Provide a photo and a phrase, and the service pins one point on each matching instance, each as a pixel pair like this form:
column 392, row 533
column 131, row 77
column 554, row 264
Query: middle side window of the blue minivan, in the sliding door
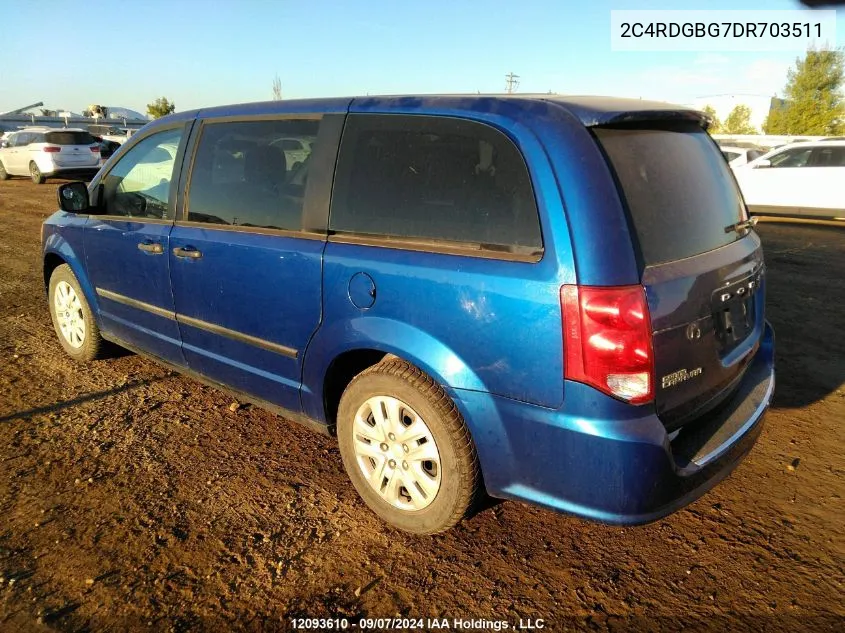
column 243, row 177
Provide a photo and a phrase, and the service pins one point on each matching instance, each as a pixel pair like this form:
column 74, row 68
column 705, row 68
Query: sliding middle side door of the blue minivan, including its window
column 246, row 262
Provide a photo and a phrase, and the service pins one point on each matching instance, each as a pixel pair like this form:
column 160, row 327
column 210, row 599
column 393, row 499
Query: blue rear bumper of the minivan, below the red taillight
column 608, row 461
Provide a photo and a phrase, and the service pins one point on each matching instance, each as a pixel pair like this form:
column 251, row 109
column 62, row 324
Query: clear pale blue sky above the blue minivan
column 207, row 53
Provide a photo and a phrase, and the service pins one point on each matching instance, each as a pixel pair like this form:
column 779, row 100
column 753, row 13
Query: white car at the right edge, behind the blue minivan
column 802, row 179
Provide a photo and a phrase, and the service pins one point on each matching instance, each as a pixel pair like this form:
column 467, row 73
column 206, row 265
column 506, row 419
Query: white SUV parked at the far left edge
column 41, row 153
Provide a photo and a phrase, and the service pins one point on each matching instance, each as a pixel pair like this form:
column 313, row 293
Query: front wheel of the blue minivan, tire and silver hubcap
column 69, row 309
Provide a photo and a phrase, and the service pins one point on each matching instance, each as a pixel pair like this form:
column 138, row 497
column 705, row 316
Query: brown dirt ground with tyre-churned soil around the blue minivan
column 133, row 498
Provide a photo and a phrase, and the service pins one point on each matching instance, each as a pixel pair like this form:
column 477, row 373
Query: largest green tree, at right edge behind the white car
column 815, row 104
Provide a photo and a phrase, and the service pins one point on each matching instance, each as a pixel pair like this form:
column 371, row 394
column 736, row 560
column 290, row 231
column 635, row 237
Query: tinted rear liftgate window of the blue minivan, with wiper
column 677, row 187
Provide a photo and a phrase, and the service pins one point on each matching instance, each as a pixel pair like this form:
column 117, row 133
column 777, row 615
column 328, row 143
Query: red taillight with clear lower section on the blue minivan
column 607, row 340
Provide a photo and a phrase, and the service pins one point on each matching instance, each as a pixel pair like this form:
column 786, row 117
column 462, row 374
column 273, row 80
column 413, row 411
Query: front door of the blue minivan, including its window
column 127, row 245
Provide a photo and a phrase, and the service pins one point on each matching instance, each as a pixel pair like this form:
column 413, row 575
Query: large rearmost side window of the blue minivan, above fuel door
column 433, row 178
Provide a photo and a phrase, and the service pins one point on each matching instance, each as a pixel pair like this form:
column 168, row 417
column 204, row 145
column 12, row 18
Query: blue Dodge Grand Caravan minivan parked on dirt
column 557, row 300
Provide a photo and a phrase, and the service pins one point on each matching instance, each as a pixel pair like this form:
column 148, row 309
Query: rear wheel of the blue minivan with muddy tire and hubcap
column 456, row 470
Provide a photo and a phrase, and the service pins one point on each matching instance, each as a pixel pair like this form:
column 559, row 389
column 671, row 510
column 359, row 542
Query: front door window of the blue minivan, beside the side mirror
column 139, row 184
